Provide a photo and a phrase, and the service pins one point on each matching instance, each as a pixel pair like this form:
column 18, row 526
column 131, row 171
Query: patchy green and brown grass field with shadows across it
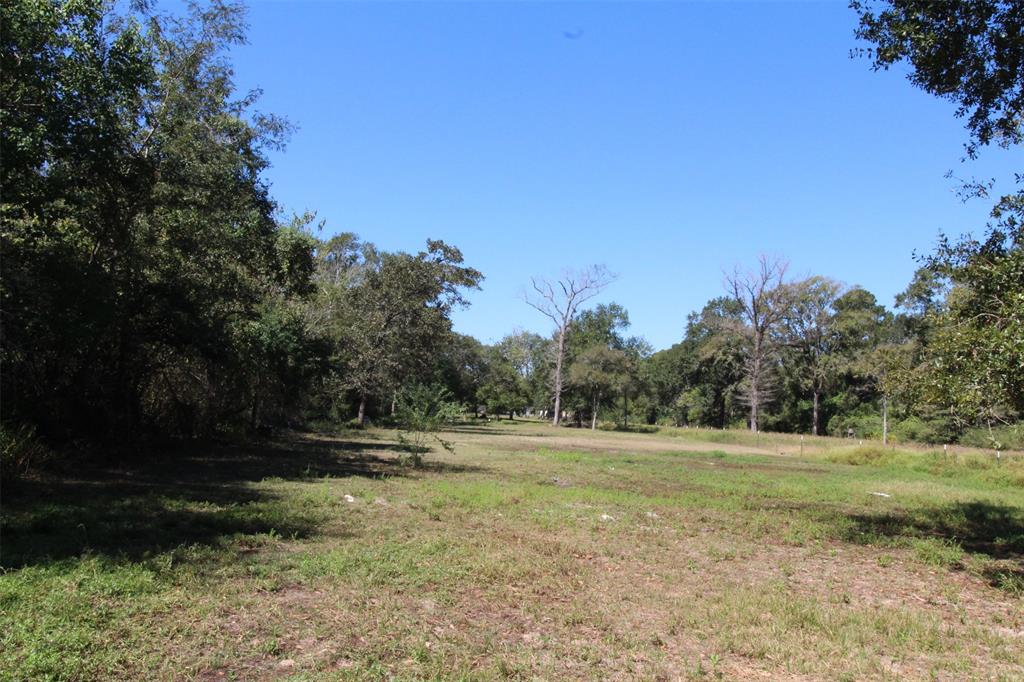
column 530, row 553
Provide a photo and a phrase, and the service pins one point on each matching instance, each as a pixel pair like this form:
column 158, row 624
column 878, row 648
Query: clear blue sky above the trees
column 668, row 142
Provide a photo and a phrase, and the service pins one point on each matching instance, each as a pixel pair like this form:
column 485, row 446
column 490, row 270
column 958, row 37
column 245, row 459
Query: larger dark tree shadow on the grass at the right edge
column 980, row 528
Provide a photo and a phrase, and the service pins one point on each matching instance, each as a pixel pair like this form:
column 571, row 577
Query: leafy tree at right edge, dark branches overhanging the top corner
column 973, row 55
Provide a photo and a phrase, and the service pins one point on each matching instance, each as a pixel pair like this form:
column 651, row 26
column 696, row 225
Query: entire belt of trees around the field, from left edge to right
column 153, row 290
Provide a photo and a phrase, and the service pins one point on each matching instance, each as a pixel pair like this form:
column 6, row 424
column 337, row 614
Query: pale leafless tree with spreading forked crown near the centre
column 561, row 302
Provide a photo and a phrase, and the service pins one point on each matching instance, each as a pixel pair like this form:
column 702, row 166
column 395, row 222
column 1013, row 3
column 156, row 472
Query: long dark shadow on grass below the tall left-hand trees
column 203, row 497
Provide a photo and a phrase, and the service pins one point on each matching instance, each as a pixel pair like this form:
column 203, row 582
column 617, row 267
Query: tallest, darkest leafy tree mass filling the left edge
column 140, row 240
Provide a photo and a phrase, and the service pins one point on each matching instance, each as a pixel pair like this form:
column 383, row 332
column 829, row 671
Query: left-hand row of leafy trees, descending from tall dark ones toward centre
column 152, row 289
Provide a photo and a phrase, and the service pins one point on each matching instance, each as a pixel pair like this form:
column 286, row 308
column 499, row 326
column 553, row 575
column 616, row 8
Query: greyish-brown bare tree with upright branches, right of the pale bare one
column 764, row 300
